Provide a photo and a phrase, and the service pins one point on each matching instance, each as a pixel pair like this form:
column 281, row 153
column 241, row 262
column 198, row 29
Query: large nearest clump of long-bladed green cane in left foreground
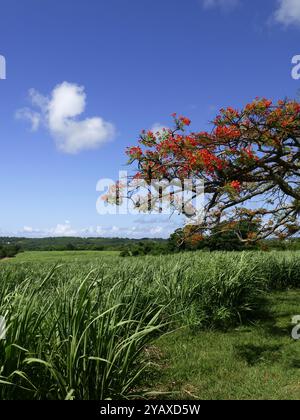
column 77, row 339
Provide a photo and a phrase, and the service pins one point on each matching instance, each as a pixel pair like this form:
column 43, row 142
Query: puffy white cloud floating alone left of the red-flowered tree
column 59, row 113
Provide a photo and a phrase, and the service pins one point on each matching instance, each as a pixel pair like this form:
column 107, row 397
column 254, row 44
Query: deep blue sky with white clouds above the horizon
column 108, row 69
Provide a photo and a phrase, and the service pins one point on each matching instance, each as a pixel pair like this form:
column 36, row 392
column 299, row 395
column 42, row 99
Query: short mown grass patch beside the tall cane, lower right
column 257, row 361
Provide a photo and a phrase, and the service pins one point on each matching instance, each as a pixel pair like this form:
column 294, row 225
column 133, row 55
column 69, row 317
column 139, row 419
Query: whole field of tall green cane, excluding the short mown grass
column 80, row 330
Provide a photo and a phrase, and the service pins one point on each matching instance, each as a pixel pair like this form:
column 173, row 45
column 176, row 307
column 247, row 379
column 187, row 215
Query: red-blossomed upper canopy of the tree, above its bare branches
column 235, row 141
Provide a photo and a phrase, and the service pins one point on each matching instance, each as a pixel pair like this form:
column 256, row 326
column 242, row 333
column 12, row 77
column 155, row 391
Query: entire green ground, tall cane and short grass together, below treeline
column 87, row 328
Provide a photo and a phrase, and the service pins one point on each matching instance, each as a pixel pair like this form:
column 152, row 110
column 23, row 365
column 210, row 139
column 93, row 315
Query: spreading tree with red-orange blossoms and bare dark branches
column 250, row 162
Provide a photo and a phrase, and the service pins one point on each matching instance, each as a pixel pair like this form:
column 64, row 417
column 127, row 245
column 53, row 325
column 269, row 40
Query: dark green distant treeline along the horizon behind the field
column 221, row 241
